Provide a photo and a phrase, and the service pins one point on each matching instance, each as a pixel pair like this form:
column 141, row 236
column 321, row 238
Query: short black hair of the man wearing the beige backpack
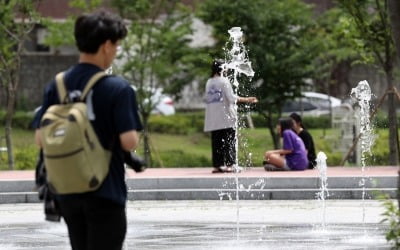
column 92, row 30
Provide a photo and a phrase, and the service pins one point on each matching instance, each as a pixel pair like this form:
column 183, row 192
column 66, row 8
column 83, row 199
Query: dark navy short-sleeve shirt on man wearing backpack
column 115, row 112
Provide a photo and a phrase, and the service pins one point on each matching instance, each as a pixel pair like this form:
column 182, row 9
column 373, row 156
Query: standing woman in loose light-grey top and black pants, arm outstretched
column 221, row 118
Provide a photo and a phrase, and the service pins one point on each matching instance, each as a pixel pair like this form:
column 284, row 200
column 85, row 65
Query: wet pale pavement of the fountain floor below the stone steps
column 350, row 224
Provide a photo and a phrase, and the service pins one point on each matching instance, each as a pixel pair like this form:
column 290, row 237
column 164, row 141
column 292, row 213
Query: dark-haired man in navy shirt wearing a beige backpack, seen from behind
column 94, row 210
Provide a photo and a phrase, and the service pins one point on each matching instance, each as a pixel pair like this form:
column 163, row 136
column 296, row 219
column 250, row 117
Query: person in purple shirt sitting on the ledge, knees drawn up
column 293, row 155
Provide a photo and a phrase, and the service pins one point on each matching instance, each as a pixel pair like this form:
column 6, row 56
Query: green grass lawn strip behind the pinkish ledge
column 194, row 150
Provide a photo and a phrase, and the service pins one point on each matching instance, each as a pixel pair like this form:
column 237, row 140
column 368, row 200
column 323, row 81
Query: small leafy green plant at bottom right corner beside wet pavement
column 392, row 216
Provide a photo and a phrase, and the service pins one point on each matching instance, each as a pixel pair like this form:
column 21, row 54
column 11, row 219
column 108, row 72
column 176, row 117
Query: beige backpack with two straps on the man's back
column 75, row 160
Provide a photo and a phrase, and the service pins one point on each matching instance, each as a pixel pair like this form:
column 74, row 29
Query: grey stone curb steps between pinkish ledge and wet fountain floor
column 250, row 188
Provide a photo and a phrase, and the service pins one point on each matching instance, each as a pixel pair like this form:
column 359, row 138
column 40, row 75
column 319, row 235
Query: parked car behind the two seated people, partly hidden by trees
column 312, row 104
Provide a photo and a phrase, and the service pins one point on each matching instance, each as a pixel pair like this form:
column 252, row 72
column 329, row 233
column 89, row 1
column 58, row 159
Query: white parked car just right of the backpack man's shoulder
column 164, row 104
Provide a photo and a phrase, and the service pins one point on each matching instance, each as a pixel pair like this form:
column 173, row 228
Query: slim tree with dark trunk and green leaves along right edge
column 373, row 25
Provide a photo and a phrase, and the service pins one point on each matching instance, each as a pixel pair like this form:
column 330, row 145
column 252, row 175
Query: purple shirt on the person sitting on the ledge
column 297, row 160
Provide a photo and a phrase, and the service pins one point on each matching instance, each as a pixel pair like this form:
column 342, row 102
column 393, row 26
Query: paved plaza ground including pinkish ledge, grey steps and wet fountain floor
column 194, row 209
